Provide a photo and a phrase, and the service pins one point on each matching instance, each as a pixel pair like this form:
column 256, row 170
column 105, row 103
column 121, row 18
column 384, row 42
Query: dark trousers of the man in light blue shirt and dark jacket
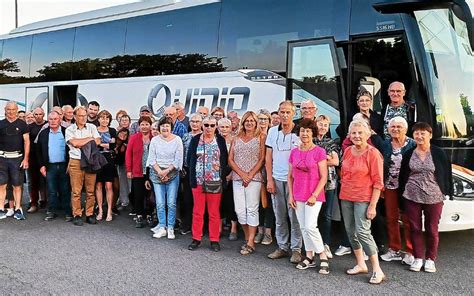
column 58, row 187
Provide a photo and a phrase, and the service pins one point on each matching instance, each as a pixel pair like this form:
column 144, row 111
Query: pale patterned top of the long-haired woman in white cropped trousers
column 246, row 156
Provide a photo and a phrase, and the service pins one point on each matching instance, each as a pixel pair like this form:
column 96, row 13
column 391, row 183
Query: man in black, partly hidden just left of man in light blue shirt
column 36, row 182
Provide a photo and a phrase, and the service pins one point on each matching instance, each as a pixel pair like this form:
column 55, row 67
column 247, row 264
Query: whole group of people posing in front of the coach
column 265, row 171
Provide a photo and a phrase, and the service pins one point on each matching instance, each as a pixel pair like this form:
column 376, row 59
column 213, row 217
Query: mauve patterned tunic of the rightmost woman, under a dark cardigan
column 421, row 186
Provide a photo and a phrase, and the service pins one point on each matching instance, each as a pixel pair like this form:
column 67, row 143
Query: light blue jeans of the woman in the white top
column 166, row 195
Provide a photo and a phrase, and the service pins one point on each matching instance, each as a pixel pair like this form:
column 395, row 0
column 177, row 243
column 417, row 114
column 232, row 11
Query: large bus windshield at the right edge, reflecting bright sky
column 451, row 64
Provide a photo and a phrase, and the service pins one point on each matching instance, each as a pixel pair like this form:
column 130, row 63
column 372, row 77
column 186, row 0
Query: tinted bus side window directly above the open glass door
column 255, row 33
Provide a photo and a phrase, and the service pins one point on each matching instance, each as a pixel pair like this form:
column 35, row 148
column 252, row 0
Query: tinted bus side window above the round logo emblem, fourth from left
column 174, row 42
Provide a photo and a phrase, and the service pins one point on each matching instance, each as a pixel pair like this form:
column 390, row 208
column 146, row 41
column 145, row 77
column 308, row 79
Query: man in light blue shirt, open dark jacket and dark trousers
column 52, row 160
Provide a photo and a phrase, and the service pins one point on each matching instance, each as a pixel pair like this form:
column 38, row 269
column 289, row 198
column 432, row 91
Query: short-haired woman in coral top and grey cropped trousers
column 361, row 184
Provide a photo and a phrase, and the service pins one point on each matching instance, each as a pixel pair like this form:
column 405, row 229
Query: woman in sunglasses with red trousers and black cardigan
column 207, row 160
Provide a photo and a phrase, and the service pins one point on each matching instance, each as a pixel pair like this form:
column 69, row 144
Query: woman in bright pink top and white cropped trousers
column 307, row 177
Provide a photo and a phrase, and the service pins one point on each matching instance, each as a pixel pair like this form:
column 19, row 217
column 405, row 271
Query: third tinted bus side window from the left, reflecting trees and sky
column 96, row 47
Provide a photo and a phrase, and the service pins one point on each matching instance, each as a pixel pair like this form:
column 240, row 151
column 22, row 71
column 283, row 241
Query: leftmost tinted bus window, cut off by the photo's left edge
column 16, row 60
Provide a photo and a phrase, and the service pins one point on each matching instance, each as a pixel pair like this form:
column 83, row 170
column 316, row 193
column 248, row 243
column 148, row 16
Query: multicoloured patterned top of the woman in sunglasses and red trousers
column 207, row 164
